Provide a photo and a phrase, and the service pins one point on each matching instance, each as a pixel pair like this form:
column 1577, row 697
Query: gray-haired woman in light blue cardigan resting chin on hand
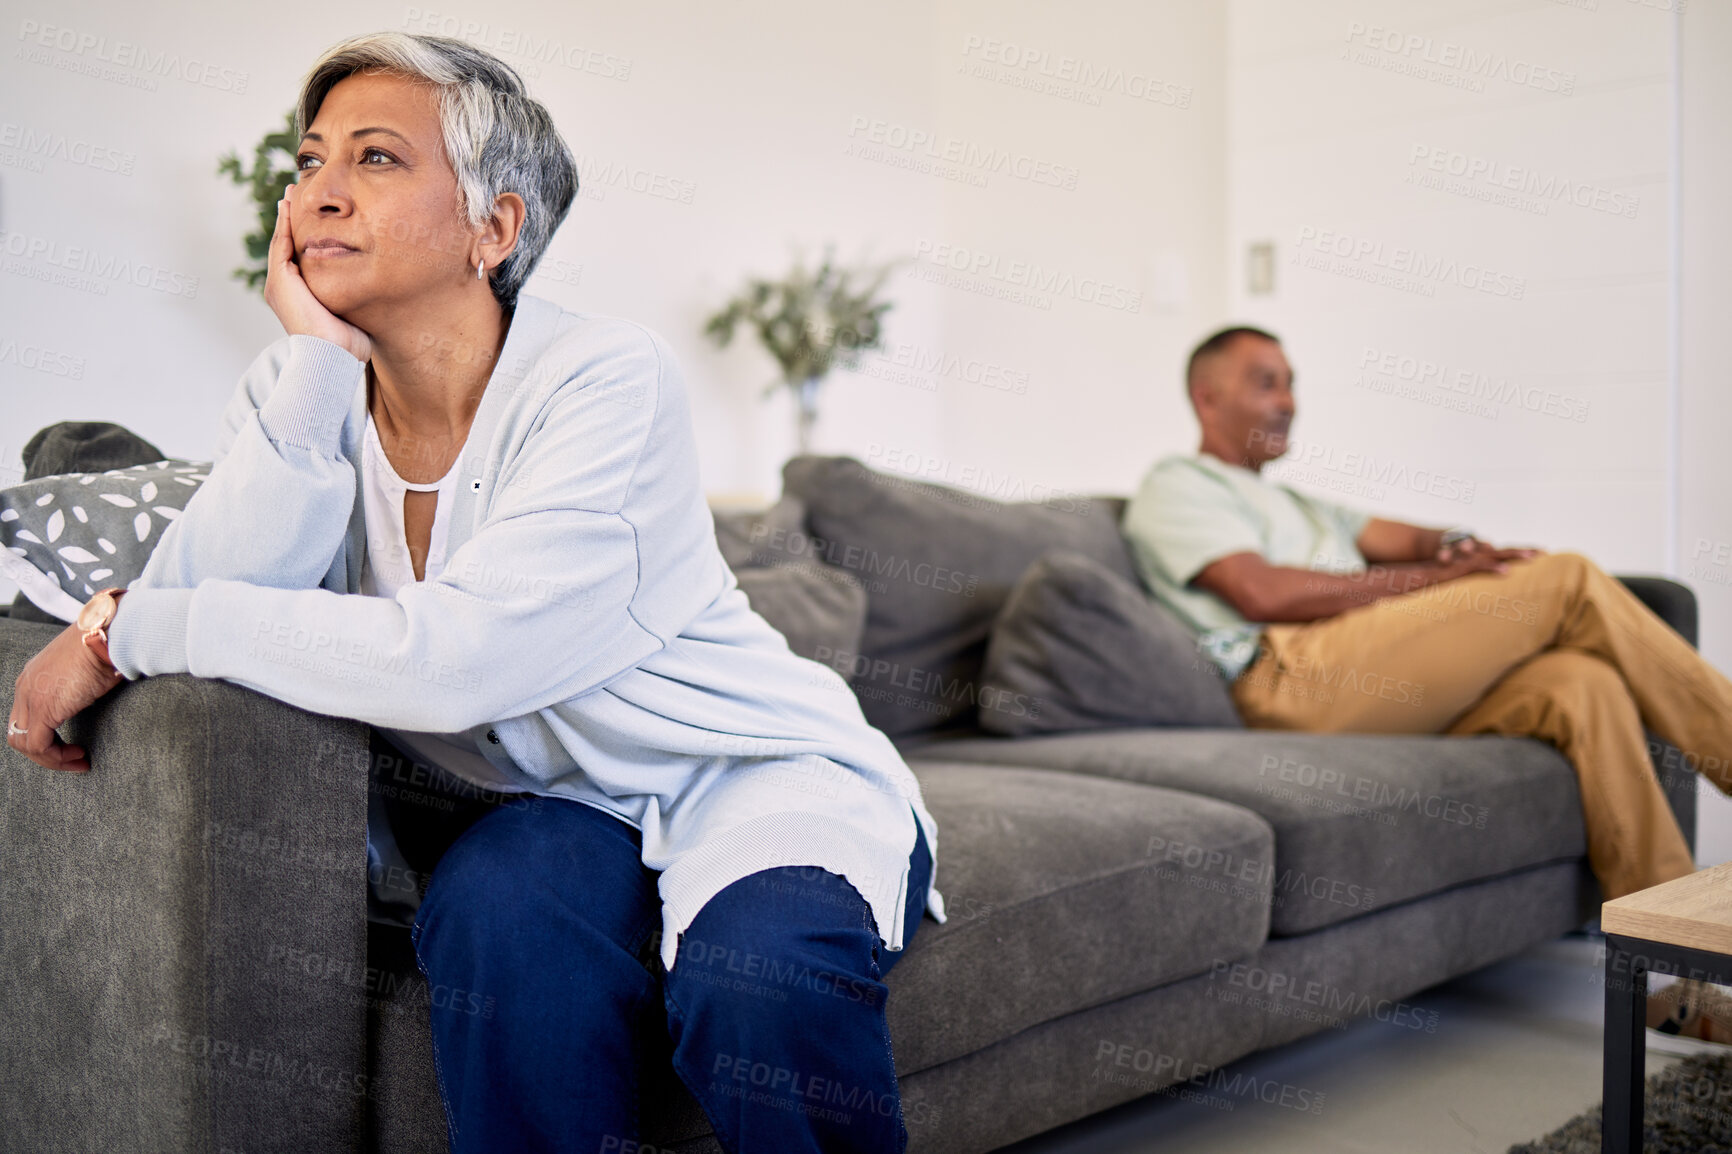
column 474, row 521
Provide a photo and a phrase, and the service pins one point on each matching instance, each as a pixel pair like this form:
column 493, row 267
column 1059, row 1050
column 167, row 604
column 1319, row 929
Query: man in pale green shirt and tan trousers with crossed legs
column 1328, row 619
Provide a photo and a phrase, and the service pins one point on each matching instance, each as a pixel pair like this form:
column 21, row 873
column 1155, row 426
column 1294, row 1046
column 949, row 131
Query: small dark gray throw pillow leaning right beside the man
column 1080, row 647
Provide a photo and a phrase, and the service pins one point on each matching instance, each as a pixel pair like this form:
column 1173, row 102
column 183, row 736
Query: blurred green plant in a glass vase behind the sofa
column 810, row 323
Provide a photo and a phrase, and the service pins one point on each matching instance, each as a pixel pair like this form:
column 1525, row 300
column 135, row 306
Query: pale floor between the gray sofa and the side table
column 1516, row 1053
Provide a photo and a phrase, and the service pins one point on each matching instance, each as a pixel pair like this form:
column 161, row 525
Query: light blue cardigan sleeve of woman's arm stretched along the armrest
column 519, row 621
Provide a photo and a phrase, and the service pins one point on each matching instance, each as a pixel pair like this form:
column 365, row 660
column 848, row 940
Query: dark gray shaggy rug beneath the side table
column 1688, row 1112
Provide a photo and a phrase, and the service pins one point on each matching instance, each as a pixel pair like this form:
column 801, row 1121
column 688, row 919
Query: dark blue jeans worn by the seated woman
column 540, row 937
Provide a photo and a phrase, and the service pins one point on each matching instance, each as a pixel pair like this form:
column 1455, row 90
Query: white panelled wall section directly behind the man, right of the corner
column 1328, row 152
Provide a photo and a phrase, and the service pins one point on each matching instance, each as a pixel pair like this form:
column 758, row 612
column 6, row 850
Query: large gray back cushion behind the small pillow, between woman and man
column 938, row 564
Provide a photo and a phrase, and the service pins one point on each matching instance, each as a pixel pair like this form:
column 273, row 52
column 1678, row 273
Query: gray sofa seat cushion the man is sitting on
column 1362, row 822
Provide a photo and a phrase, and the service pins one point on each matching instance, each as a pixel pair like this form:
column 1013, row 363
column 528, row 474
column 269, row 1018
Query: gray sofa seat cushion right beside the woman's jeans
column 1063, row 893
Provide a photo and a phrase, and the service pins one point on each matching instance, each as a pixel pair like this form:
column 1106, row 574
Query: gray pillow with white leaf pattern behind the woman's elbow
column 70, row 535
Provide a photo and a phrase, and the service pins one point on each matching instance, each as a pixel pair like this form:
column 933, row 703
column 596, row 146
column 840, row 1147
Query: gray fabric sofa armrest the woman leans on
column 183, row 930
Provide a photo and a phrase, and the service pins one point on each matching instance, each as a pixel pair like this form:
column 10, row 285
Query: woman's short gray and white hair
column 498, row 138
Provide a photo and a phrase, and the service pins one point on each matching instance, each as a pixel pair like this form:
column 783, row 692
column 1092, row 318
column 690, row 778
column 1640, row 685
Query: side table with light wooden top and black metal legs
column 1681, row 928
